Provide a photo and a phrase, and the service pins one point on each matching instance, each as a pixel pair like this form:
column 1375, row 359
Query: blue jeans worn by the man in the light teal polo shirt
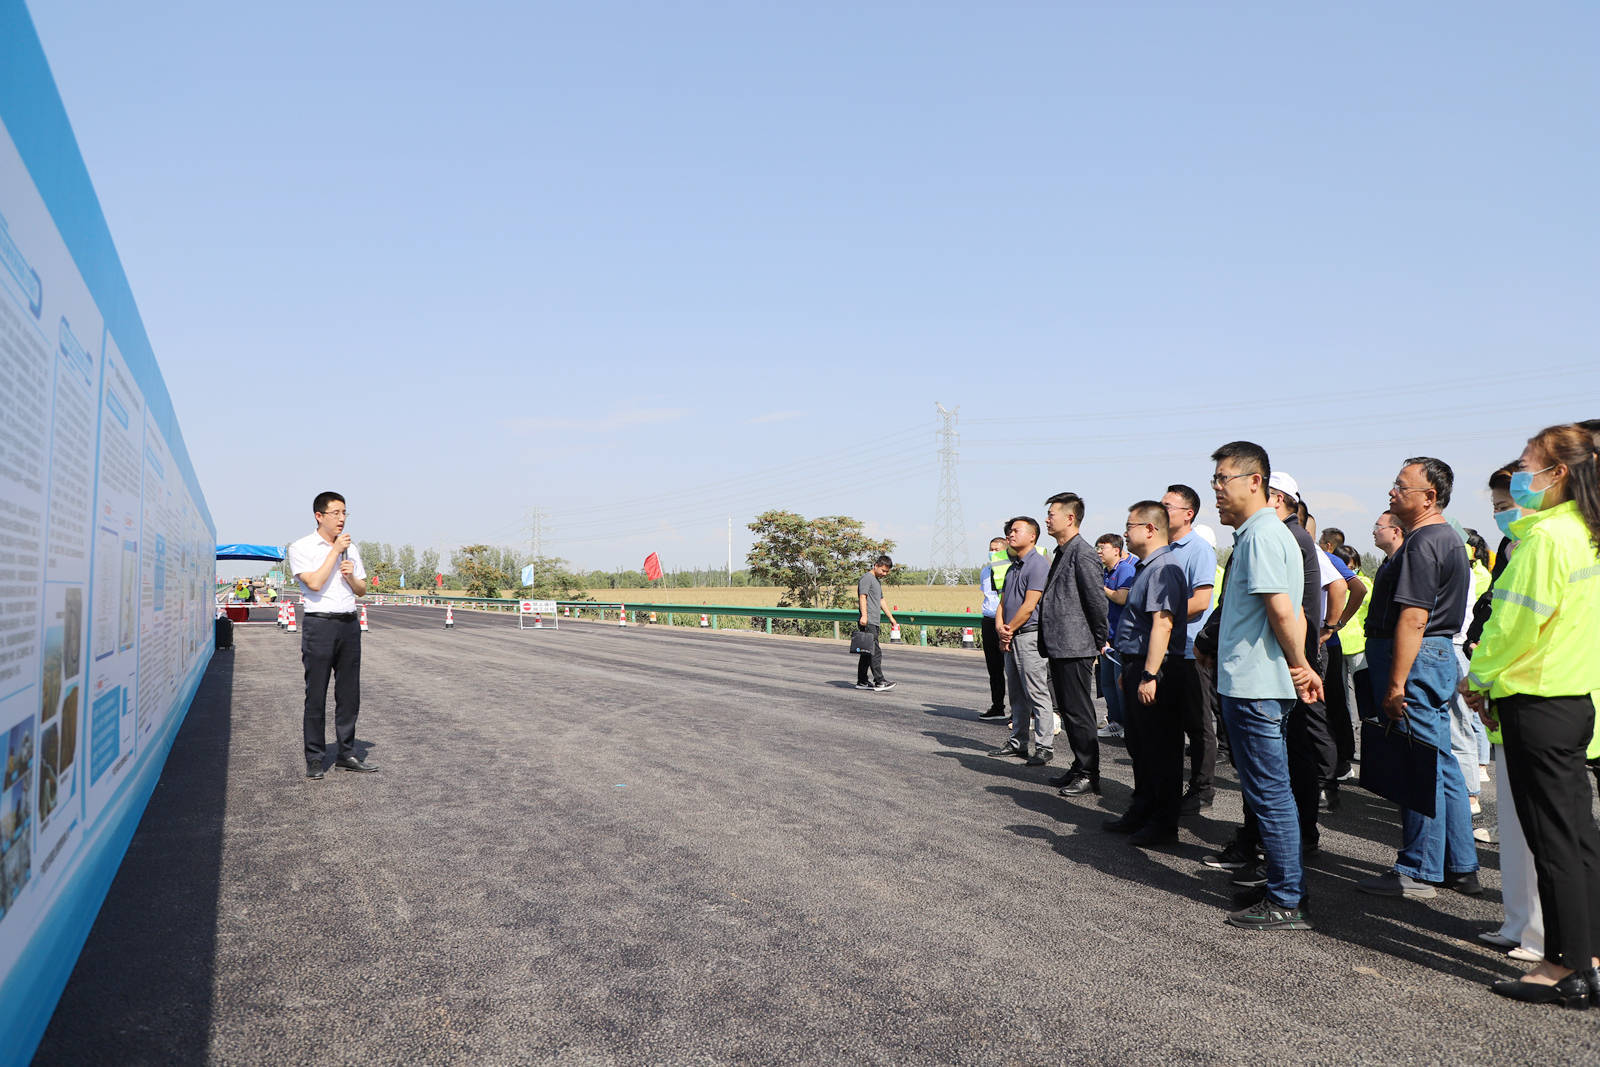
column 1262, row 757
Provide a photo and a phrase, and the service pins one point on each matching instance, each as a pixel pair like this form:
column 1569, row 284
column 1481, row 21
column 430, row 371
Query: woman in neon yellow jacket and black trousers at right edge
column 1538, row 666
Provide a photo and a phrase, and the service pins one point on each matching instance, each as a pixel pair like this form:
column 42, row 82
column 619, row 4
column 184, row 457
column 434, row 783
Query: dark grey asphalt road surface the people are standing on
column 668, row 845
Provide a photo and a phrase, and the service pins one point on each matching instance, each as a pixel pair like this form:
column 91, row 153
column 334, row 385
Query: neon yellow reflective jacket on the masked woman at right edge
column 1540, row 639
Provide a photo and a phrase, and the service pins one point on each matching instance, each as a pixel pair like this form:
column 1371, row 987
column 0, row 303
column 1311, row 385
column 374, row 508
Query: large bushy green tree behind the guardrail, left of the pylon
column 817, row 561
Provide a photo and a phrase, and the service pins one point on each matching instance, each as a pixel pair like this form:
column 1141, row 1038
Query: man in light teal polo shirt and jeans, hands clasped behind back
column 1262, row 668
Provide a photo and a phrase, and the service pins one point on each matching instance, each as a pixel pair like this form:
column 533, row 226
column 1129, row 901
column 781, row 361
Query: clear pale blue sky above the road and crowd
column 652, row 266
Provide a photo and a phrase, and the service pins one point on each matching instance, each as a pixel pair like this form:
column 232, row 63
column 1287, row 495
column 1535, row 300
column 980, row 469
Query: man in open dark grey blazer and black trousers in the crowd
column 1073, row 629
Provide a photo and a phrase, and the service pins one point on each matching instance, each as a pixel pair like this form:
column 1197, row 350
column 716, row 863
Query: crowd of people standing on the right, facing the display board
column 1449, row 661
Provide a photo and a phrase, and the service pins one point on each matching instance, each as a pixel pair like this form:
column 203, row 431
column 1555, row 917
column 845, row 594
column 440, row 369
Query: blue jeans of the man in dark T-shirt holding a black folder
column 1439, row 844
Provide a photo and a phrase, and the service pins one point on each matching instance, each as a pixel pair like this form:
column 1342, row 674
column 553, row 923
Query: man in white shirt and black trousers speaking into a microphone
column 330, row 575
